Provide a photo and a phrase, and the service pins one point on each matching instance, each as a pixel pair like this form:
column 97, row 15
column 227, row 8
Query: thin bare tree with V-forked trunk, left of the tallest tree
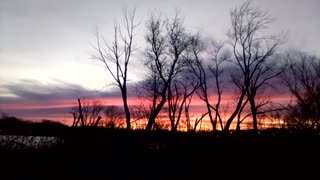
column 203, row 71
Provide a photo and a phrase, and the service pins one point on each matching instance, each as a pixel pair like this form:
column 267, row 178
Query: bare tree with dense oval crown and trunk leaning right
column 166, row 42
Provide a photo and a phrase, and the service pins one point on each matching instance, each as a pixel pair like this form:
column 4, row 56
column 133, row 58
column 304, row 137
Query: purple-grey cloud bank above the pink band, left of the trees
column 27, row 90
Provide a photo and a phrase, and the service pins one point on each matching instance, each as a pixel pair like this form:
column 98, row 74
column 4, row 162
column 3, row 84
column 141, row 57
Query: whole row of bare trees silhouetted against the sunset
column 182, row 66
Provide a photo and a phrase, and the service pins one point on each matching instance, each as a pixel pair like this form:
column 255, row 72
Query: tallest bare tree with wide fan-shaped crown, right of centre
column 253, row 52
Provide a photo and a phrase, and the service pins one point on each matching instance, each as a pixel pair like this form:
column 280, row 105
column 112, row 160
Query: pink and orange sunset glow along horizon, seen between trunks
column 30, row 111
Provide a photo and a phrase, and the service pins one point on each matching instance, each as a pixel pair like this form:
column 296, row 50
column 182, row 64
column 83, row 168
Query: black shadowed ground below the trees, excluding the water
column 120, row 154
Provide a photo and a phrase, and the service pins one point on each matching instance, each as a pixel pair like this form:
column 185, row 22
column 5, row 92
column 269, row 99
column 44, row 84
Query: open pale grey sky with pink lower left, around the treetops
column 45, row 45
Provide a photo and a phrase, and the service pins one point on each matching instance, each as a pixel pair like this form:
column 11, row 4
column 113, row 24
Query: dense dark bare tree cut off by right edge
column 302, row 77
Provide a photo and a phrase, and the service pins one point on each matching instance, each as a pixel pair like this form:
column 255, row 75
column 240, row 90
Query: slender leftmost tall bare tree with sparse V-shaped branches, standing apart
column 116, row 55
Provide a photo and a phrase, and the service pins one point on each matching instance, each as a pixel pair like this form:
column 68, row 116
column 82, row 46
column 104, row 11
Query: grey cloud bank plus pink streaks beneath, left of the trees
column 34, row 100
